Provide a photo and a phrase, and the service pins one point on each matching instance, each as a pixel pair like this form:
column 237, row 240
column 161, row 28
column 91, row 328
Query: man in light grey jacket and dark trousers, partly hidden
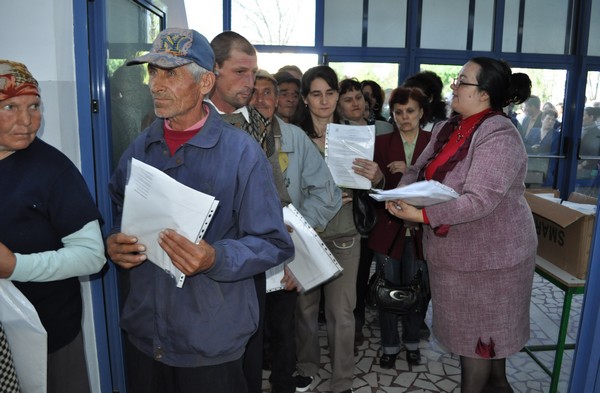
column 313, row 192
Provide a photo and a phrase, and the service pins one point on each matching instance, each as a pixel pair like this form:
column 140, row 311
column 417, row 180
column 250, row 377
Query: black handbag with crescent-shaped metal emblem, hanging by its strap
column 398, row 299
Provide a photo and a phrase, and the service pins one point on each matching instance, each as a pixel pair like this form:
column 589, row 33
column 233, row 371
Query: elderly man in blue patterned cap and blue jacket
column 193, row 338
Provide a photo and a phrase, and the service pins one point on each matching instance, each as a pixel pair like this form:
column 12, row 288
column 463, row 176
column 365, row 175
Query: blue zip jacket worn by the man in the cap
column 211, row 318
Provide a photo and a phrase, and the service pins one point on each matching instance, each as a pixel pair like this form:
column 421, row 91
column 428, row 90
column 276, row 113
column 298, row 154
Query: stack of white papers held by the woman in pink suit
column 422, row 193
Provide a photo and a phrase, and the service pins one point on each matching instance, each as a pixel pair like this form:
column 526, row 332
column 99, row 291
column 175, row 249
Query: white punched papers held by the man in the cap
column 154, row 201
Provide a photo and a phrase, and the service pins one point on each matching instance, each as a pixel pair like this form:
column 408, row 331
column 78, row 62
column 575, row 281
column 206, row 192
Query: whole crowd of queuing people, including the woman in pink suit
column 256, row 141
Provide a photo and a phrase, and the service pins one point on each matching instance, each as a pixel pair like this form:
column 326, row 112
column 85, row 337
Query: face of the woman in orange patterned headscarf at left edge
column 20, row 120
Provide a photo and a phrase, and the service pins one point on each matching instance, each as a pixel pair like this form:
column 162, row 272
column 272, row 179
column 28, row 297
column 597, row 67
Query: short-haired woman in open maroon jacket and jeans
column 390, row 239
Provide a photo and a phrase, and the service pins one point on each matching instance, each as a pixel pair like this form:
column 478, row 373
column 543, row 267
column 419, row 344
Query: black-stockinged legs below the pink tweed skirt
column 483, row 376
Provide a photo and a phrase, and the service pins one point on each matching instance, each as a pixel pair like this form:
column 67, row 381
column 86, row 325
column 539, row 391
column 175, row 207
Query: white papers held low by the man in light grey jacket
column 312, row 264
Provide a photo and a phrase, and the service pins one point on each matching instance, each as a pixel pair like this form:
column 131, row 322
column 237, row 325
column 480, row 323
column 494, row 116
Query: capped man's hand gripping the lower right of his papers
column 189, row 257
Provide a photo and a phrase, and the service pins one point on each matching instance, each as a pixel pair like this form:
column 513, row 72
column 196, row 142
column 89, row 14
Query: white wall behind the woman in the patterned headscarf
column 39, row 33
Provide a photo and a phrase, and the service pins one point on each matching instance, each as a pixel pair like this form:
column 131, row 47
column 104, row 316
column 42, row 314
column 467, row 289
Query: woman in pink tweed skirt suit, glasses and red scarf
column 480, row 247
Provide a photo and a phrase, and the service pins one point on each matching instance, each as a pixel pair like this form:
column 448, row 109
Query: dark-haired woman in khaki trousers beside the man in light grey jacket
column 320, row 95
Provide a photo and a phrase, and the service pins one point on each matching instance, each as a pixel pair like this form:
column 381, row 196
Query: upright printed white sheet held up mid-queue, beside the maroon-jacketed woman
column 343, row 144
